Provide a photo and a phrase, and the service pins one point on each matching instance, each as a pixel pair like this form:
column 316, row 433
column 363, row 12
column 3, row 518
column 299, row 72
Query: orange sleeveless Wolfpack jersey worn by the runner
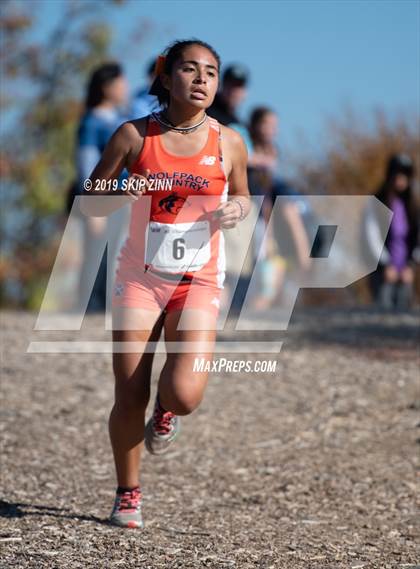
column 172, row 227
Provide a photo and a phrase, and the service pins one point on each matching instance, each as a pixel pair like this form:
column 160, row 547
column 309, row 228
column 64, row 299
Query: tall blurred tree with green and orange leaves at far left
column 42, row 83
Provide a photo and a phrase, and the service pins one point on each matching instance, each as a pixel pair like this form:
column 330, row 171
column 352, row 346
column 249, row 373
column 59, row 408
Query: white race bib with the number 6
column 177, row 247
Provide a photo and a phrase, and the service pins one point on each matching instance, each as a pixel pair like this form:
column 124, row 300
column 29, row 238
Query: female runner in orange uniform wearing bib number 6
column 171, row 267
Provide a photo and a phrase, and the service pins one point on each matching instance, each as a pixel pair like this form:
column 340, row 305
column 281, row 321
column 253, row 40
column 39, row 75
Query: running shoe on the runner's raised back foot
column 161, row 430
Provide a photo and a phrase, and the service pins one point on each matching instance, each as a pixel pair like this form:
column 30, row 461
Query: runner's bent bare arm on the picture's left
column 114, row 159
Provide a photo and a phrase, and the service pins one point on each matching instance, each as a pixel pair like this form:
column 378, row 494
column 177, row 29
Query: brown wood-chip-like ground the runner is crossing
column 311, row 467
